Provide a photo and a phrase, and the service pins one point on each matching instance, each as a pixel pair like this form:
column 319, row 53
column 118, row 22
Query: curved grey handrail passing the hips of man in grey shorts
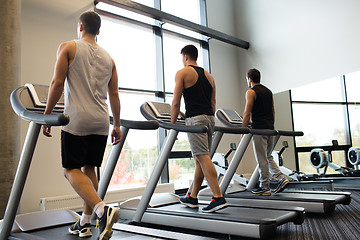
column 176, row 126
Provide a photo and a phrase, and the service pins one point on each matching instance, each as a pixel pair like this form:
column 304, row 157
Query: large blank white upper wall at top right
column 298, row 42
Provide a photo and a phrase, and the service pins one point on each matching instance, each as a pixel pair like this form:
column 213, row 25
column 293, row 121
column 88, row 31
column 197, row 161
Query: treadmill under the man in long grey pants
column 311, row 201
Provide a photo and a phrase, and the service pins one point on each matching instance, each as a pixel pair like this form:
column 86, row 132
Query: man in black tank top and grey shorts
column 198, row 88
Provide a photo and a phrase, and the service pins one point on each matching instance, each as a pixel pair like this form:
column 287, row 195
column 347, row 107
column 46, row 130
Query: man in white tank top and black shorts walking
column 89, row 75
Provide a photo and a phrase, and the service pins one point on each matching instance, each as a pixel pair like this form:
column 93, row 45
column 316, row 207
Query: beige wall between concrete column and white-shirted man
column 44, row 25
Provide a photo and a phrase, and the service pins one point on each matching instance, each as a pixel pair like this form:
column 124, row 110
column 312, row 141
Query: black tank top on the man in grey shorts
column 198, row 97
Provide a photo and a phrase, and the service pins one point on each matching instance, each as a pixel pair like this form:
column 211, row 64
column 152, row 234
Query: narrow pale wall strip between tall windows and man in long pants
column 229, row 79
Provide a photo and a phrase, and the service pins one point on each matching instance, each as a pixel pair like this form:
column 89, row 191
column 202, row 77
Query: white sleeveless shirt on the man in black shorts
column 85, row 92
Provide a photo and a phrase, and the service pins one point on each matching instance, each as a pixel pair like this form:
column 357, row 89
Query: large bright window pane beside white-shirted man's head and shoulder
column 132, row 48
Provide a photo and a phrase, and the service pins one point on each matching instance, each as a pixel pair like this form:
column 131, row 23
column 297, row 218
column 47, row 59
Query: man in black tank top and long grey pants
column 260, row 107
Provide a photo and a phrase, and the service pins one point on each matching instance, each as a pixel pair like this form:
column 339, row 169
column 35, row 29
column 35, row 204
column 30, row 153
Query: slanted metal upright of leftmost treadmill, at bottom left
column 20, row 179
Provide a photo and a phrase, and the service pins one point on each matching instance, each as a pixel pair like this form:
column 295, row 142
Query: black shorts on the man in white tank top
column 78, row 151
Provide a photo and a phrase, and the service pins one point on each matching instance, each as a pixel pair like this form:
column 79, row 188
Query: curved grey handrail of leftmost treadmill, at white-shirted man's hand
column 42, row 119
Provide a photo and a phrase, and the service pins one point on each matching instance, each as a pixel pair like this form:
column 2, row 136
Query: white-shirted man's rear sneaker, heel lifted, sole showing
column 105, row 223
